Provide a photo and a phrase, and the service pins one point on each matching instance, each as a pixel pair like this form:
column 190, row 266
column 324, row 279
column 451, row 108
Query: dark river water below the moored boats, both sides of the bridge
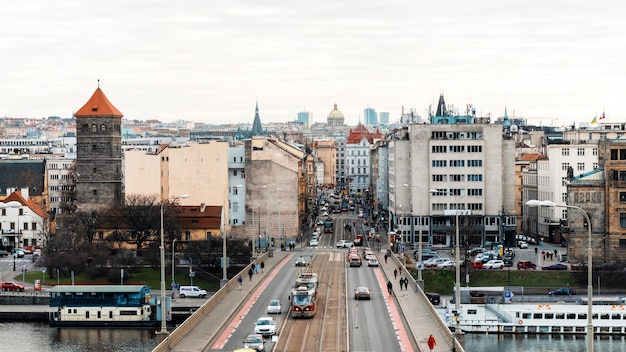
column 39, row 337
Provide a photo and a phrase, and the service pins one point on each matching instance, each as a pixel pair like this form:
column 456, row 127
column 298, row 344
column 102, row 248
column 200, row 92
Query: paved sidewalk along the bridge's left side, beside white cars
column 208, row 327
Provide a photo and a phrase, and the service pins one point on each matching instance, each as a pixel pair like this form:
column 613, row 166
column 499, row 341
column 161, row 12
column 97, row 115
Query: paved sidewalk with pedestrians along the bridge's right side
column 417, row 315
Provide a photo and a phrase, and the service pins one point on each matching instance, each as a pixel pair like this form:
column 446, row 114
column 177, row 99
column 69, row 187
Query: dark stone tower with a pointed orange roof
column 99, row 154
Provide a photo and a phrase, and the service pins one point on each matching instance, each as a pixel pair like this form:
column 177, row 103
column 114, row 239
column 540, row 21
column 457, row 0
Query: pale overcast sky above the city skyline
column 210, row 61
